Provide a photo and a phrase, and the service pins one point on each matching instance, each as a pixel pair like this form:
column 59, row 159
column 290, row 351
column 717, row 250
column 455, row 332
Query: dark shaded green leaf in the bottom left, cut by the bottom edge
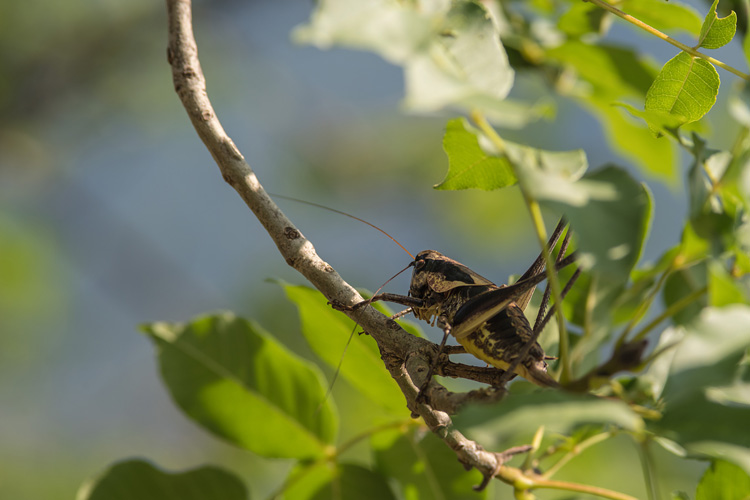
column 139, row 479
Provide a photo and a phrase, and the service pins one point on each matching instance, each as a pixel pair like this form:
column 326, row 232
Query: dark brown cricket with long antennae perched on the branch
column 486, row 319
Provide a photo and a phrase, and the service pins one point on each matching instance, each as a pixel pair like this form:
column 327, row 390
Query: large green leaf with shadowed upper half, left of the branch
column 236, row 381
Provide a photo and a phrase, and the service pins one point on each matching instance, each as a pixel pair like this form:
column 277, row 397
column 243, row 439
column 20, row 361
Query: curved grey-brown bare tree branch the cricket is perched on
column 406, row 357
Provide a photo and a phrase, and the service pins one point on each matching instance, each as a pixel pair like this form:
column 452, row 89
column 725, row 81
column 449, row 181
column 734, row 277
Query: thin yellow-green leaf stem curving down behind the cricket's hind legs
column 541, row 233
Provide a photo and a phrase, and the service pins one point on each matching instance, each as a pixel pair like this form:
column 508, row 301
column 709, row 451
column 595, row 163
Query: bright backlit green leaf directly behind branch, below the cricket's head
column 328, row 331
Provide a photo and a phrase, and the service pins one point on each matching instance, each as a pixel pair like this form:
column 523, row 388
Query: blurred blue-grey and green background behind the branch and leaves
column 113, row 214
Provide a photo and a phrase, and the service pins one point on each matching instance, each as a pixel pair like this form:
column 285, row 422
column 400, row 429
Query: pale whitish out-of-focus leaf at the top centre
column 450, row 51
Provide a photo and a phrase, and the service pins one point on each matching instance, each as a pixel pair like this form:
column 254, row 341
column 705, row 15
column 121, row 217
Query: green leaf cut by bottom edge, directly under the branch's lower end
column 423, row 466
